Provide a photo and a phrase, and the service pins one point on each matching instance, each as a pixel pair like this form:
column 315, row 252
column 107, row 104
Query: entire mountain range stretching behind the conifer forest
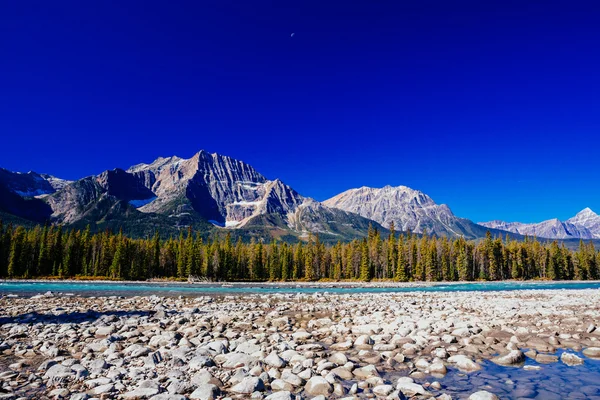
column 216, row 193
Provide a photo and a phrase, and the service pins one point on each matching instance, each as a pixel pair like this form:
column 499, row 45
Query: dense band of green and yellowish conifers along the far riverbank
column 52, row 251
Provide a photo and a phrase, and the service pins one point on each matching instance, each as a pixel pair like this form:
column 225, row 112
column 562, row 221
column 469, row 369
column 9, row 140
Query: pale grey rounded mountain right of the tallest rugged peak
column 407, row 208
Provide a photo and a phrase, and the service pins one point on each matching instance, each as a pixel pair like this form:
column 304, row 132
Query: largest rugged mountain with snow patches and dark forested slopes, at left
column 208, row 192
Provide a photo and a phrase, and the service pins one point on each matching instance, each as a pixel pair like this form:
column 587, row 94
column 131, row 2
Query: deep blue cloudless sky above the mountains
column 492, row 107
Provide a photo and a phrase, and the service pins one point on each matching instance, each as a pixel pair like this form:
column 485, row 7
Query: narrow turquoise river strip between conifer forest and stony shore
column 145, row 288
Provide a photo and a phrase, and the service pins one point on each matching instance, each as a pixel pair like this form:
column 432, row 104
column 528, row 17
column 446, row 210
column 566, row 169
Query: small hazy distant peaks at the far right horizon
column 584, row 225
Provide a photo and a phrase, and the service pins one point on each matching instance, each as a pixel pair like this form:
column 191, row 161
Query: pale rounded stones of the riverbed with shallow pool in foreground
column 471, row 345
